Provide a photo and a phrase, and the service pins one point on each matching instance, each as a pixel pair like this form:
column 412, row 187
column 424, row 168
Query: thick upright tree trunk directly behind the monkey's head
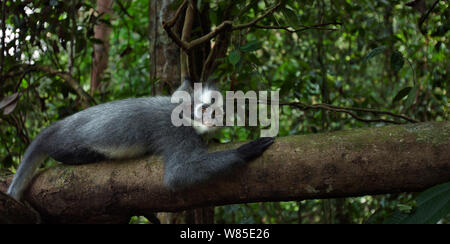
column 168, row 66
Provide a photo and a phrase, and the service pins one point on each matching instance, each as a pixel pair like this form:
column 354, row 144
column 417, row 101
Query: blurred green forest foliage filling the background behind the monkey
column 377, row 55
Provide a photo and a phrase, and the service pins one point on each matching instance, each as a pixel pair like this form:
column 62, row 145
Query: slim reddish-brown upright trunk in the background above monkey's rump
column 100, row 55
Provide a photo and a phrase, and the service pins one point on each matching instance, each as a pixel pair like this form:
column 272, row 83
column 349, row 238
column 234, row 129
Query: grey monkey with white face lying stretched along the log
column 132, row 128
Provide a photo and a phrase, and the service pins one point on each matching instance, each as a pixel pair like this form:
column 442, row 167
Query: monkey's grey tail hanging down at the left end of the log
column 32, row 159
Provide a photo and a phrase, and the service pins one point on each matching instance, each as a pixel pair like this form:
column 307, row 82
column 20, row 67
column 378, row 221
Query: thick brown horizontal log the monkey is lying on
column 359, row 162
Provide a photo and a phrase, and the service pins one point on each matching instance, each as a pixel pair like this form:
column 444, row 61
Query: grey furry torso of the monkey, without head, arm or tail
column 116, row 130
